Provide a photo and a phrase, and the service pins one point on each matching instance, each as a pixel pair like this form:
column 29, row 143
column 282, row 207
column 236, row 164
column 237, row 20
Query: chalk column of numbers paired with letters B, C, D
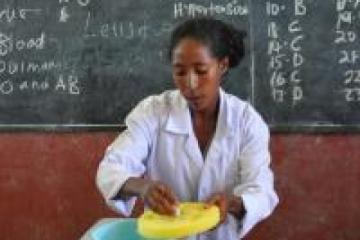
column 285, row 88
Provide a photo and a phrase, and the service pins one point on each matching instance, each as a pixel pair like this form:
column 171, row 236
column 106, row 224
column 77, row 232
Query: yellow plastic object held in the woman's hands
column 194, row 218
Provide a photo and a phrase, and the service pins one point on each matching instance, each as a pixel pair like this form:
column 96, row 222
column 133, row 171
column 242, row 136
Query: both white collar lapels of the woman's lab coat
column 179, row 120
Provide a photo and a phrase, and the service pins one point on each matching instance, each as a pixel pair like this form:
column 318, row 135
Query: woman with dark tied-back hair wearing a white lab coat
column 196, row 143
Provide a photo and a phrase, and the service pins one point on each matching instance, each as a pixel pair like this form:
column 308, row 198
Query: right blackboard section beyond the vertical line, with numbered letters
column 307, row 62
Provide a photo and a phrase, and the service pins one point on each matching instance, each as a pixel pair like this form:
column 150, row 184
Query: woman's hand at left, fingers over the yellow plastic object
column 160, row 198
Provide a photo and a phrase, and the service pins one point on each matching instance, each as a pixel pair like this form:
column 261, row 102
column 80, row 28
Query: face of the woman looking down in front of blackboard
column 197, row 74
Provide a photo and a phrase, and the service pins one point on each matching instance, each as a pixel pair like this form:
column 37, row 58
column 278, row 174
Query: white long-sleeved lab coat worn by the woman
column 159, row 143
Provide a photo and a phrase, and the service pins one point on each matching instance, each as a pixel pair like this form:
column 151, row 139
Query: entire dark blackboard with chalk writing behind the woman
column 75, row 64
